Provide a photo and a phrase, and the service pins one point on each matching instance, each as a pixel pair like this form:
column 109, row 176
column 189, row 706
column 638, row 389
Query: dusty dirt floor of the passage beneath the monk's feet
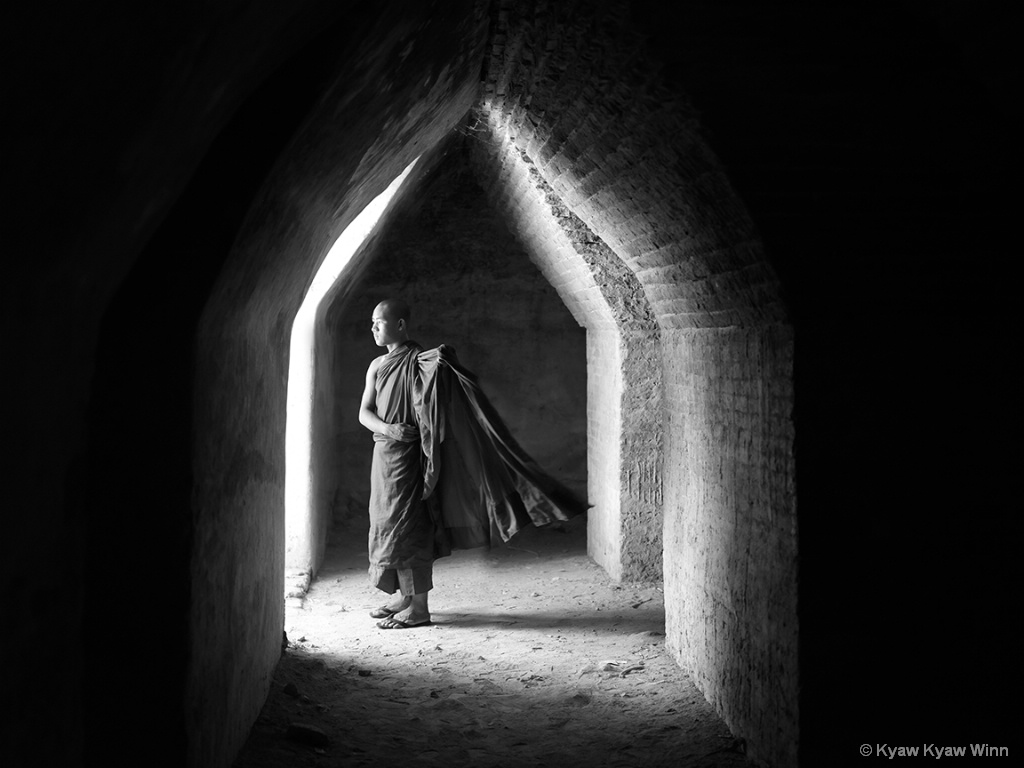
column 534, row 659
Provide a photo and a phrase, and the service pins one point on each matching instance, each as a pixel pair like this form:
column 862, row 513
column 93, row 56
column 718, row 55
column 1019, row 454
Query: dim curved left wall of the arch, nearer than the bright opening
column 395, row 98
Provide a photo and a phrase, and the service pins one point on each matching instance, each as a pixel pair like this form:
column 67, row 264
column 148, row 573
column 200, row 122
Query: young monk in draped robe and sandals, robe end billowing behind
column 446, row 473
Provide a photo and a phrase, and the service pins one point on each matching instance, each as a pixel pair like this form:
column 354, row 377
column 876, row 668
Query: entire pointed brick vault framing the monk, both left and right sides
column 636, row 227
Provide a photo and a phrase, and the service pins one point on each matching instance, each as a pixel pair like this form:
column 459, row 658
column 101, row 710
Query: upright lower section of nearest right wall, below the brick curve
column 732, row 521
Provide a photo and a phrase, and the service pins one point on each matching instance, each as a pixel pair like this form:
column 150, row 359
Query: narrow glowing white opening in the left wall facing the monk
column 298, row 468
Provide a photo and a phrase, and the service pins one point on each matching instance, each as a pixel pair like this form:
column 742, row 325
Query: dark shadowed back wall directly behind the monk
column 472, row 286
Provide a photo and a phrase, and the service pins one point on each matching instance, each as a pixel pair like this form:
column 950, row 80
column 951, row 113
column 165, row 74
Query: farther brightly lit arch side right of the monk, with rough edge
column 624, row 375
